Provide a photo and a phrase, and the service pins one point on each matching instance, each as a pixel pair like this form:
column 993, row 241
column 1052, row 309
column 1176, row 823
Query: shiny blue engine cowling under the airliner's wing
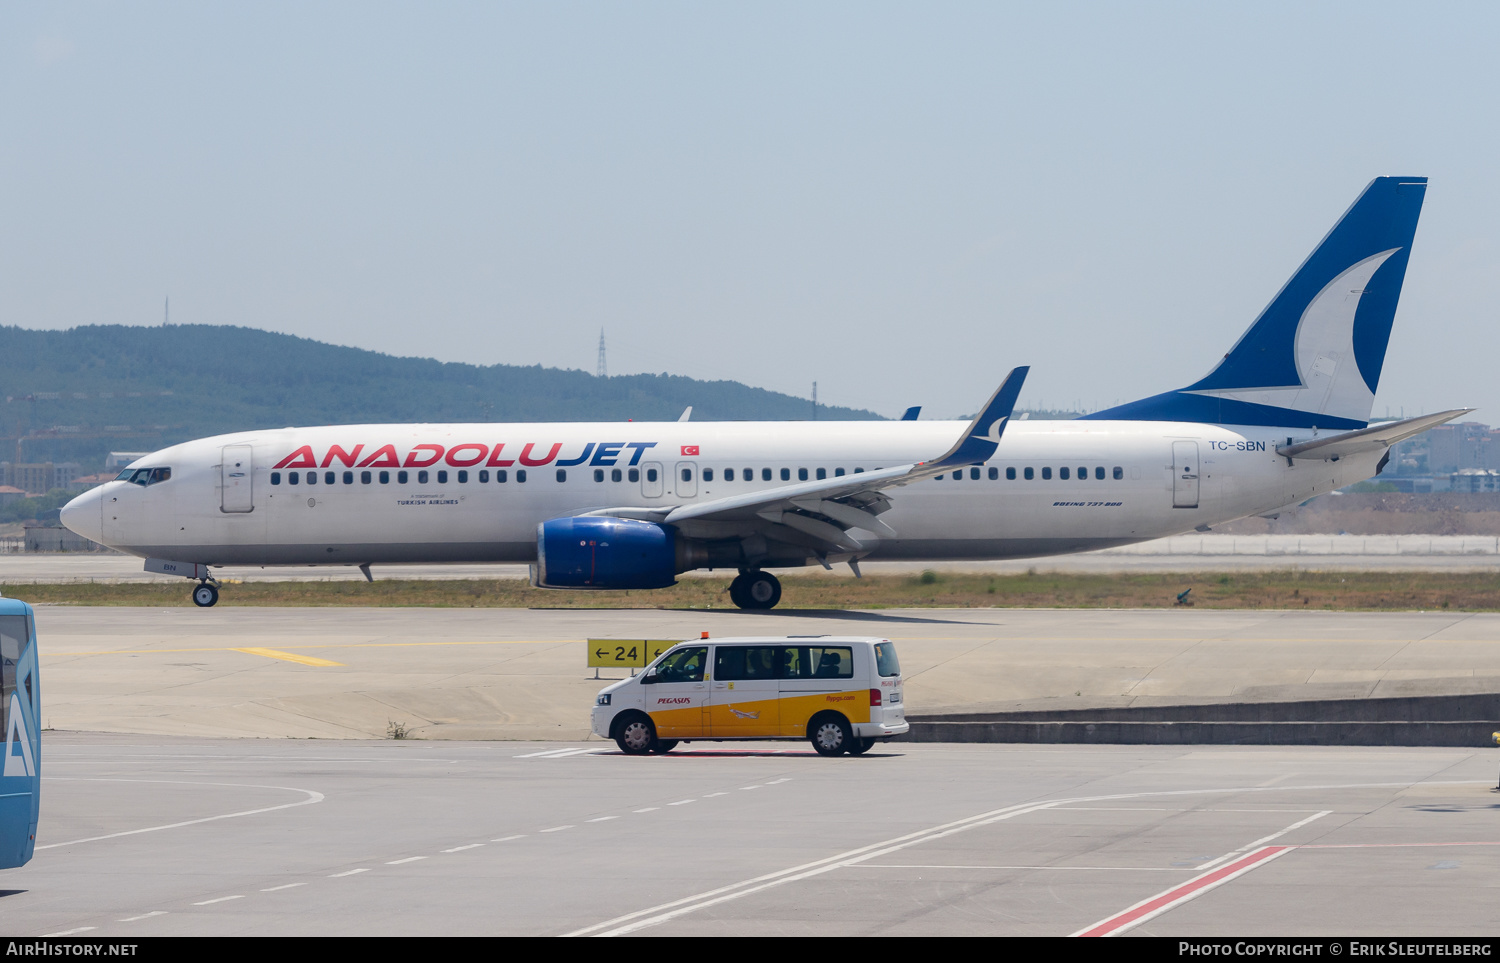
column 605, row 553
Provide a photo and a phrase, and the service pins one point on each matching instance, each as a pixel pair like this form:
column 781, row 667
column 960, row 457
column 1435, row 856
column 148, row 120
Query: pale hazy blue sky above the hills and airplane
column 898, row 202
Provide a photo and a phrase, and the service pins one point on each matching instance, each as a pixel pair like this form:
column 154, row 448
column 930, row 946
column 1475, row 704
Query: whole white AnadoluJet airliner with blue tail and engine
column 1283, row 418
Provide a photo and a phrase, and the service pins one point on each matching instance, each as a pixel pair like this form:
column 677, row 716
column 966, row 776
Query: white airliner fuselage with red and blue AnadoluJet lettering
column 232, row 500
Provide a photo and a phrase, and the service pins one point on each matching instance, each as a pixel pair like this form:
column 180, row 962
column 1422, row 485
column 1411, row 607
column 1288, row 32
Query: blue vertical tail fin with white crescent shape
column 1315, row 355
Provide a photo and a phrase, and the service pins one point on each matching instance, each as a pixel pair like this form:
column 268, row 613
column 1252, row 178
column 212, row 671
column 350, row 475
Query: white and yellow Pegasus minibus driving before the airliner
column 842, row 694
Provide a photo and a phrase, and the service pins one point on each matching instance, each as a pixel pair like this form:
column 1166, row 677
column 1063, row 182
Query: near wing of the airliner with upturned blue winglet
column 824, row 511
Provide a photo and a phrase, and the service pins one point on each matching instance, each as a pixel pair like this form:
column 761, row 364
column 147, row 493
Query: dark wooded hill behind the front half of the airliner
column 76, row 395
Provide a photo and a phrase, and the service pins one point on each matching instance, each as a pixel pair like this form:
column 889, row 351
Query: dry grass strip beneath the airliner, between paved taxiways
column 1346, row 592
